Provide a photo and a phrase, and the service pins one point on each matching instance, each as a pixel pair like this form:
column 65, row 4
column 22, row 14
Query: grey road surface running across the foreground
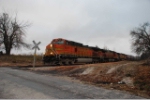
column 20, row 84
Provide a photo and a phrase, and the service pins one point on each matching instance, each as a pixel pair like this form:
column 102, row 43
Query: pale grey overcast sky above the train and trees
column 102, row 23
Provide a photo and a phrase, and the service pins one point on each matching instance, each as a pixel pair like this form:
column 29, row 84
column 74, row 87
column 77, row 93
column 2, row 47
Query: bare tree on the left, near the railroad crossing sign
column 12, row 33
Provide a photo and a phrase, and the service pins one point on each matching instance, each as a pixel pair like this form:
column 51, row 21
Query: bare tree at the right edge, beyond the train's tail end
column 141, row 39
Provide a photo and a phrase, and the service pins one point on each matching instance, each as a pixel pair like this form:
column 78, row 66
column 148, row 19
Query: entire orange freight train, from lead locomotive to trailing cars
column 63, row 52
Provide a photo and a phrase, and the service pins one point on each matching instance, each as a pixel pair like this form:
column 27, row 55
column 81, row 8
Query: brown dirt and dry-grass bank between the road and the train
column 128, row 76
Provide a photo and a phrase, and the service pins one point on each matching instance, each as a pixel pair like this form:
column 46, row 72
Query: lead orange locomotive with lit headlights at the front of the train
column 61, row 51
